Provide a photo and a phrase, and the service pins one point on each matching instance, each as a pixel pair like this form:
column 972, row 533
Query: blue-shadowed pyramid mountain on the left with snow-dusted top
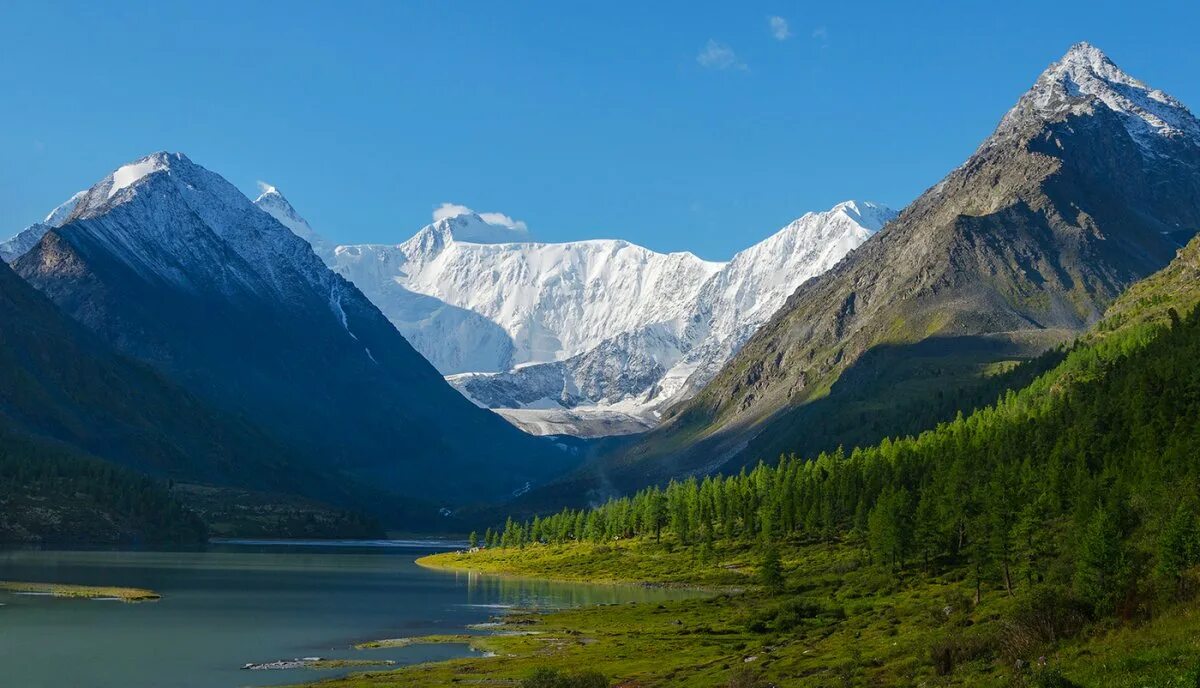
column 173, row 266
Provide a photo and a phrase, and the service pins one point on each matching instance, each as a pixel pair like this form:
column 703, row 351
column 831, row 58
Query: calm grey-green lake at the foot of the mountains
column 236, row 603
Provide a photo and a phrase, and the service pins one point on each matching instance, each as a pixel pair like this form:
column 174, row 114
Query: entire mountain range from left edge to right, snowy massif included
column 163, row 321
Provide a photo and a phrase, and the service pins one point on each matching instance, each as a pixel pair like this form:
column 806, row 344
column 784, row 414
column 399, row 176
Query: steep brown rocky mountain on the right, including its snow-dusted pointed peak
column 1090, row 183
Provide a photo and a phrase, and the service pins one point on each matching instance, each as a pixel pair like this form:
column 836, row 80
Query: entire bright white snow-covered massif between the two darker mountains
column 584, row 338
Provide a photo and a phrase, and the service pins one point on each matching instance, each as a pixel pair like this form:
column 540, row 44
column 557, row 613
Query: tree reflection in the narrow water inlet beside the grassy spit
column 511, row 591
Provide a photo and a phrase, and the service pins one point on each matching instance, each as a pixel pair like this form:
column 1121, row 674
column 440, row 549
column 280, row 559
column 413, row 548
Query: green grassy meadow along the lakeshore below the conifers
column 839, row 623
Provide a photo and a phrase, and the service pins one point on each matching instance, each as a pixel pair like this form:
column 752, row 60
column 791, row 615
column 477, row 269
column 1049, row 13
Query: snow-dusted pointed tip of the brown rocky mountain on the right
column 1085, row 79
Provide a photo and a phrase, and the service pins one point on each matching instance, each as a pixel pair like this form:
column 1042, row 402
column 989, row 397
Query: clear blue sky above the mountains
column 699, row 127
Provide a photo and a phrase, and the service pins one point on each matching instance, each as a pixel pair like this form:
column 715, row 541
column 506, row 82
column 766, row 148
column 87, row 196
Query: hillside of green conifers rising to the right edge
column 1081, row 492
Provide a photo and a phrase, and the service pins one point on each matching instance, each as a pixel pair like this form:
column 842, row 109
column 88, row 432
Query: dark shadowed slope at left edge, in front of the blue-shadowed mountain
column 82, row 427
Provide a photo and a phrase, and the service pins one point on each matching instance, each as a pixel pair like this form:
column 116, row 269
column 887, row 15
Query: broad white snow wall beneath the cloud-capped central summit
column 553, row 301
